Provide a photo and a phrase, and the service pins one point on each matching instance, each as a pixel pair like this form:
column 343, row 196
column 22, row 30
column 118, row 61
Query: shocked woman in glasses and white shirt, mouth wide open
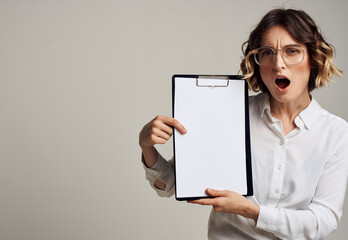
column 299, row 150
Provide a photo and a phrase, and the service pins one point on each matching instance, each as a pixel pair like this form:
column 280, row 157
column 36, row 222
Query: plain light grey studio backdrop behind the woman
column 79, row 79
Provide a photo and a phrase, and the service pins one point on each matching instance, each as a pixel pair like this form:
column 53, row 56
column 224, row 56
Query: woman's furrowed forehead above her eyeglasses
column 278, row 36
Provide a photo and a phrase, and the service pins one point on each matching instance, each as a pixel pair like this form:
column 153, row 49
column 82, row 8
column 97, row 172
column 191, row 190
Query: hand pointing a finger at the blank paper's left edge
column 158, row 131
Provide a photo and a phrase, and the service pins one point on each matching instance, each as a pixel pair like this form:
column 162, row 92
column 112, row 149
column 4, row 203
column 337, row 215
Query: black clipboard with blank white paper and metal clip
column 215, row 152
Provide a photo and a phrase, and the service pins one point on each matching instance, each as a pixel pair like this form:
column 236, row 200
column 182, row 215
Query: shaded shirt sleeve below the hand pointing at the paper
column 163, row 170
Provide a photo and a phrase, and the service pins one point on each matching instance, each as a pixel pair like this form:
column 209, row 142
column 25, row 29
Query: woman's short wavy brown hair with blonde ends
column 304, row 30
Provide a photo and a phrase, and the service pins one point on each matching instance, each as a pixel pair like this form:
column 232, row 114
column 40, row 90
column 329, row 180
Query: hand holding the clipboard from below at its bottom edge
column 230, row 202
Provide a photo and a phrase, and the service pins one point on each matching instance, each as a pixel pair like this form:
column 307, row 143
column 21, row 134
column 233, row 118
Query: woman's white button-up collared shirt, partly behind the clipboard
column 299, row 179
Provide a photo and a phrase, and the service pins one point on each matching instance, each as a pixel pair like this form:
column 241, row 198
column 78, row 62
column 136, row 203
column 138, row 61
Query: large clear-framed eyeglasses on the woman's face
column 292, row 55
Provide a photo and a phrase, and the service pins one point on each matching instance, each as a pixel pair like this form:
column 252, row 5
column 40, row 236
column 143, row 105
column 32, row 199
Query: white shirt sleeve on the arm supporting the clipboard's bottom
column 323, row 213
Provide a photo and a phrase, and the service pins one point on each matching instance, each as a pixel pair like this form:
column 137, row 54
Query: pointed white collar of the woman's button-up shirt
column 307, row 116
